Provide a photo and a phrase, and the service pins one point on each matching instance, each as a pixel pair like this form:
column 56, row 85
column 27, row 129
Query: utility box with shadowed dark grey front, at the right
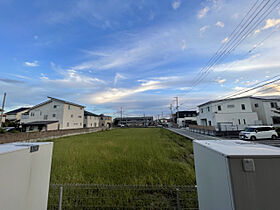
column 237, row 175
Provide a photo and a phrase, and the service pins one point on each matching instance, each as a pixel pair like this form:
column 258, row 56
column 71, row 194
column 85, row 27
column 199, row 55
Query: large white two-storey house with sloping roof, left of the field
column 69, row 115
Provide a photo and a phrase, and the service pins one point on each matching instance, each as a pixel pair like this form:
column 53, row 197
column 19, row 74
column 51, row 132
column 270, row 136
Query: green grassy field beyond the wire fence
column 143, row 156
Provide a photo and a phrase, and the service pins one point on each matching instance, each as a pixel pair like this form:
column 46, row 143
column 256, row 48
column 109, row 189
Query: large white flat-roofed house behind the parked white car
column 239, row 112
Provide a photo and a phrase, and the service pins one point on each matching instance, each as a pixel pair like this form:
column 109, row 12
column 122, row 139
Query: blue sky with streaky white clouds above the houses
column 135, row 54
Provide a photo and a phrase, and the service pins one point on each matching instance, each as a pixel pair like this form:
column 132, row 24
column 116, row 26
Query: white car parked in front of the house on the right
column 258, row 132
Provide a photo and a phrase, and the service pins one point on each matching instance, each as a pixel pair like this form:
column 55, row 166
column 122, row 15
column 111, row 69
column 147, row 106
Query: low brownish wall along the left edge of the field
column 45, row 135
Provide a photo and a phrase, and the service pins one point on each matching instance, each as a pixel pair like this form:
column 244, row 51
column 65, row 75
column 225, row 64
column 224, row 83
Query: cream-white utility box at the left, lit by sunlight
column 24, row 175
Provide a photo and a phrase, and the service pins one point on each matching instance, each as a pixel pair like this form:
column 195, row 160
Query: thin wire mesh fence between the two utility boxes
column 70, row 197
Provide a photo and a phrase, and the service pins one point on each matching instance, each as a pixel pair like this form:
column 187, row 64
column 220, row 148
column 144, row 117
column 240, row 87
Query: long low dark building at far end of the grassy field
column 134, row 121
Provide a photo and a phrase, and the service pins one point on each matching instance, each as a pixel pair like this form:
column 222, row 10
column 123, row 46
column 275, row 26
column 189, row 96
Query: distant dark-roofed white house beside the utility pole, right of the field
column 185, row 118
